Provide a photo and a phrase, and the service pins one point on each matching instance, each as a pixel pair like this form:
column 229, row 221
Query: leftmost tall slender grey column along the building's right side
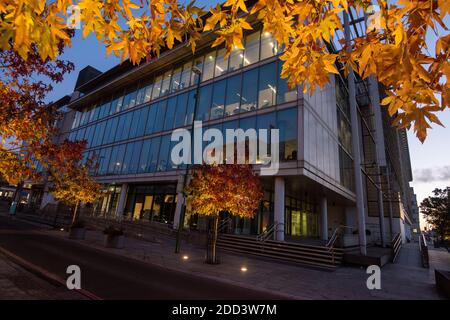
column 356, row 152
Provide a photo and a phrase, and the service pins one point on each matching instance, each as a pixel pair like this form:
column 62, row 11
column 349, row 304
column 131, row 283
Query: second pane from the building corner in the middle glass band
column 267, row 85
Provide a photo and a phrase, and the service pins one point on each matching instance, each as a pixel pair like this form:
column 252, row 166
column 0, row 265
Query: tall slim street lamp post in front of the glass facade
column 198, row 72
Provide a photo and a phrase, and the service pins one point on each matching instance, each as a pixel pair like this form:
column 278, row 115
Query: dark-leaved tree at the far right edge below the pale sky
column 436, row 210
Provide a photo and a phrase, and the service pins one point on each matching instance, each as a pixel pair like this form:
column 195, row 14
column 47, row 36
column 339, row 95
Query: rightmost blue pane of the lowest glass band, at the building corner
column 287, row 123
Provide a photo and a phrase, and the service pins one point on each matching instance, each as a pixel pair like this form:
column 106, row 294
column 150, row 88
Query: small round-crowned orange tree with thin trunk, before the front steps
column 232, row 189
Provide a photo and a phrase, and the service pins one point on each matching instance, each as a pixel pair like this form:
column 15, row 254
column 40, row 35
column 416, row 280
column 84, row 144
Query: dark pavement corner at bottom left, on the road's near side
column 18, row 284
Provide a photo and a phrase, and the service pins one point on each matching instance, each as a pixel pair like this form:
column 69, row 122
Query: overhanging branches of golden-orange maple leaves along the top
column 393, row 48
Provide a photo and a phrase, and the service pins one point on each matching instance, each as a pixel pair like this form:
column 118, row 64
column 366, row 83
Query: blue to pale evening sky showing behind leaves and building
column 430, row 161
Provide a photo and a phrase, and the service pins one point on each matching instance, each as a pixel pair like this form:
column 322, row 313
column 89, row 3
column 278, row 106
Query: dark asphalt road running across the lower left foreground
column 111, row 276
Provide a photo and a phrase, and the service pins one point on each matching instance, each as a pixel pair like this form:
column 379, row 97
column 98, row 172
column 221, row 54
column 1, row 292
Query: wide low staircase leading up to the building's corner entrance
column 308, row 255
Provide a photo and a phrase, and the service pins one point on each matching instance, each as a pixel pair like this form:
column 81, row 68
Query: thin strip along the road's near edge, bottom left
column 44, row 273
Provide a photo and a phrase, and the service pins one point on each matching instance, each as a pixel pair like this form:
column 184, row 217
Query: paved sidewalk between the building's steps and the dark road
column 398, row 281
